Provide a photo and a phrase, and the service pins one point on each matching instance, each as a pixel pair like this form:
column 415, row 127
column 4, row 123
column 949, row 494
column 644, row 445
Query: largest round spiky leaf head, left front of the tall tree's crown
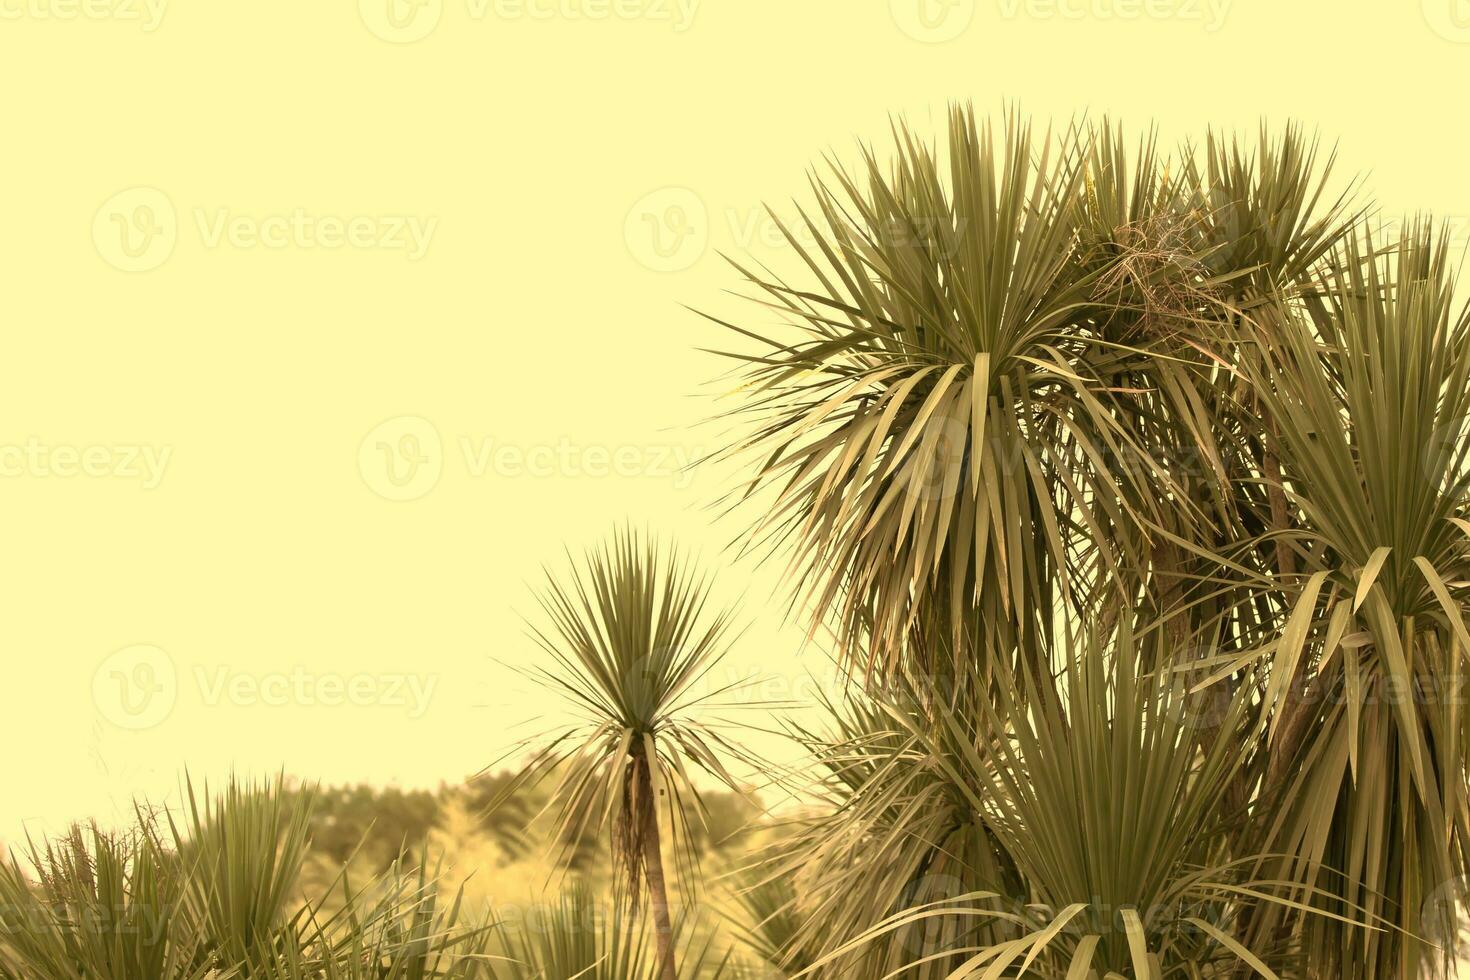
column 906, row 421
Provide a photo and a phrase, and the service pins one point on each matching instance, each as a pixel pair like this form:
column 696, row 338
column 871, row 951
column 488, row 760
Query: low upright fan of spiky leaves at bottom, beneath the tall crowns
column 1115, row 821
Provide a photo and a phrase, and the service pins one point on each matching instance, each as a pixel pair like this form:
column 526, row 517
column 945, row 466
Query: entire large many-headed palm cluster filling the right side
column 1196, row 405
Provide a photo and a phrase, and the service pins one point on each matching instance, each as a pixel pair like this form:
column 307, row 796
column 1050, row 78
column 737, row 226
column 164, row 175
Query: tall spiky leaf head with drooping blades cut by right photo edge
column 1371, row 397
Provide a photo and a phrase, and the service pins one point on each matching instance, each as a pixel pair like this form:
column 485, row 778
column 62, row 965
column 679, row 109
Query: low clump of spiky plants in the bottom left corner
column 212, row 894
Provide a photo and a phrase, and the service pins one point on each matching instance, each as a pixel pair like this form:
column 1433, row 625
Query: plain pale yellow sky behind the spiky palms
column 327, row 324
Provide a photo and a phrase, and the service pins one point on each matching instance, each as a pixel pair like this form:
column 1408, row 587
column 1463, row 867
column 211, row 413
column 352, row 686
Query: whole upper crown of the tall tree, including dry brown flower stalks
column 1012, row 368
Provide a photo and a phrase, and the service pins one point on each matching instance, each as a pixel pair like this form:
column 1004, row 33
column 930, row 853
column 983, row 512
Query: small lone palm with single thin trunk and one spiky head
column 633, row 650
